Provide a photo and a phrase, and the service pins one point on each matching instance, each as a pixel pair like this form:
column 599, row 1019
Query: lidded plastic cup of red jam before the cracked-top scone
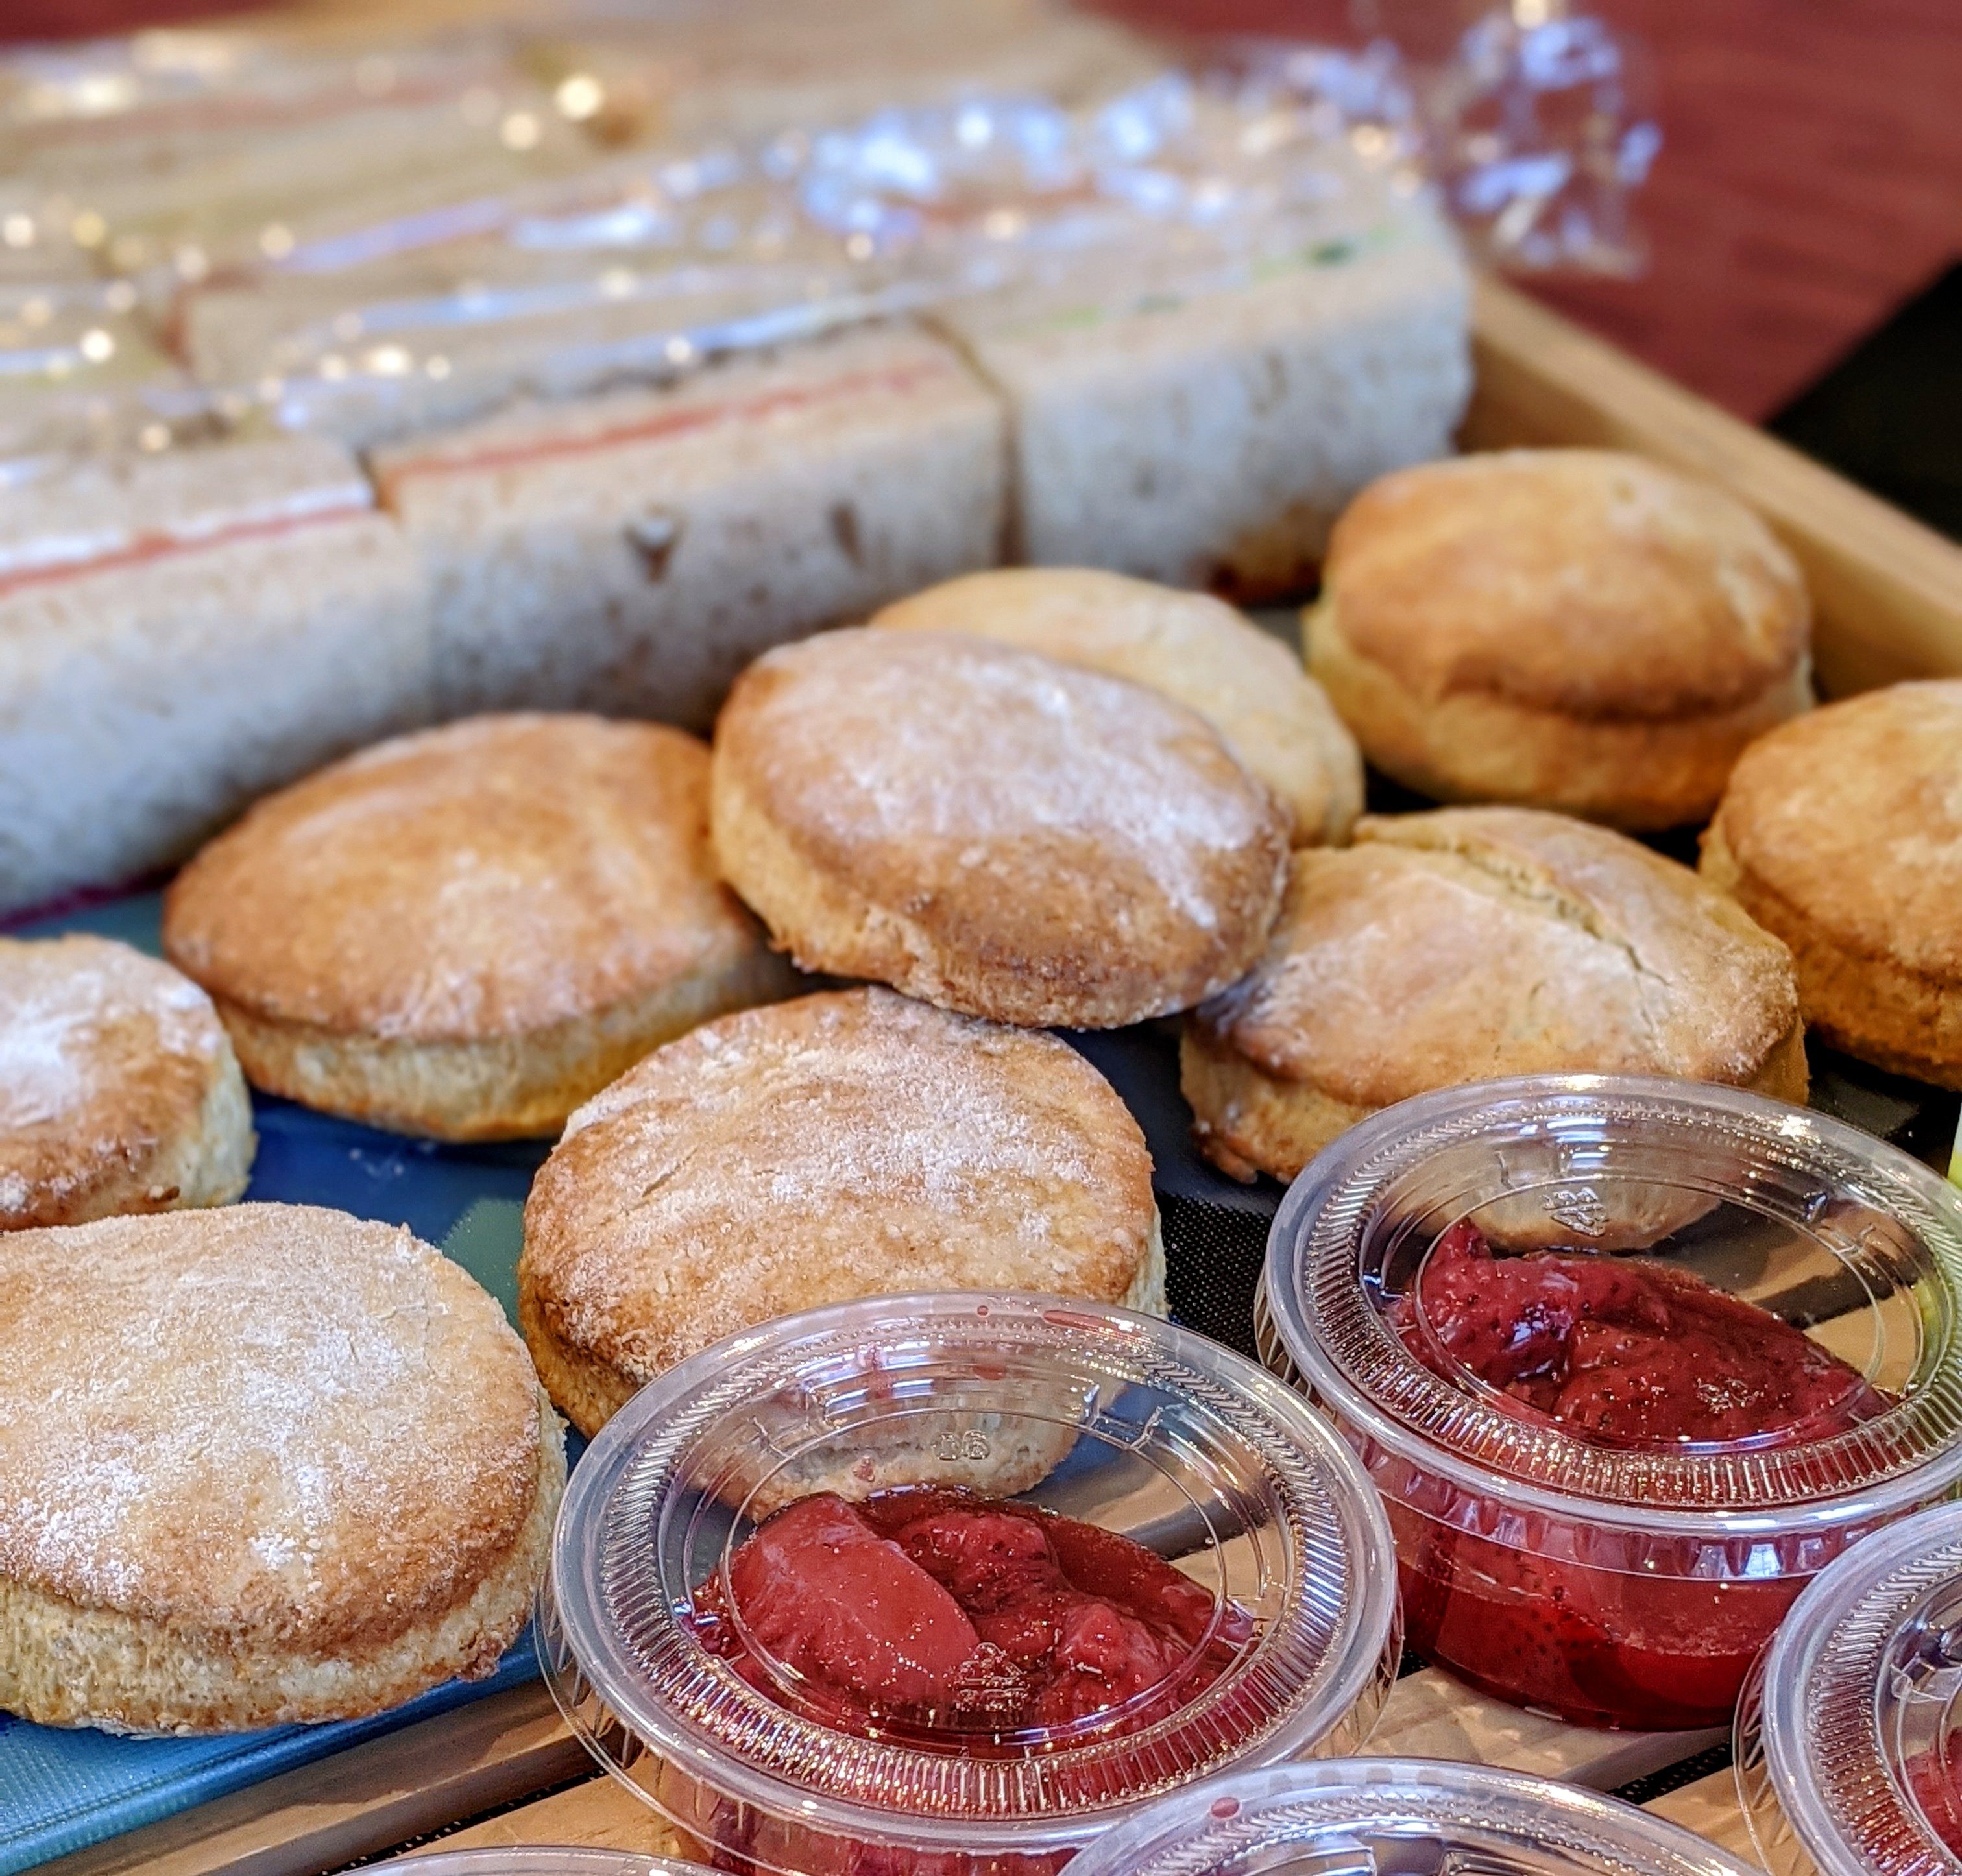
column 1629, row 1363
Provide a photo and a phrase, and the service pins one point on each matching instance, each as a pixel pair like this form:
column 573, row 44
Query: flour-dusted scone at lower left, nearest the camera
column 258, row 1465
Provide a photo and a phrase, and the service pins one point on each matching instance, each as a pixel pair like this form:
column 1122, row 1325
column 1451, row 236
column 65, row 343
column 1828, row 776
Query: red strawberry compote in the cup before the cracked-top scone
column 1624, row 1353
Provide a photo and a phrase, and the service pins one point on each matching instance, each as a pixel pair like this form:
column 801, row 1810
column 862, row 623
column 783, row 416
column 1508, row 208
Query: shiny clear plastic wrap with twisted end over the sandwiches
column 374, row 240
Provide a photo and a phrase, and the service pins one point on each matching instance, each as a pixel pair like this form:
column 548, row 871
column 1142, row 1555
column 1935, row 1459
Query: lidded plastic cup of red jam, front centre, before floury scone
column 945, row 1587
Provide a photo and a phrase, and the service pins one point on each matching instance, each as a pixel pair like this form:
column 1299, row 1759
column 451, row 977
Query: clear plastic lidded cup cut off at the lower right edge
column 1849, row 1738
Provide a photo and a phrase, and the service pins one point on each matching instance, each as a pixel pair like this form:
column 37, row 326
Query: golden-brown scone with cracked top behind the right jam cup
column 1478, row 943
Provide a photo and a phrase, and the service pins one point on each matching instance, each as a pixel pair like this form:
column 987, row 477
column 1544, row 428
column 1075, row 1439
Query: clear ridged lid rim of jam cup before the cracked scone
column 1392, row 1143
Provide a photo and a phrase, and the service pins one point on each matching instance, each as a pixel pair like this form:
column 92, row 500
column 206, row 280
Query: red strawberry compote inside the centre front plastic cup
column 964, row 1622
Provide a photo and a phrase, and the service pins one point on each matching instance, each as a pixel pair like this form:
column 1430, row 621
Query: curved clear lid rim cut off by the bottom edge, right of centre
column 1208, row 1824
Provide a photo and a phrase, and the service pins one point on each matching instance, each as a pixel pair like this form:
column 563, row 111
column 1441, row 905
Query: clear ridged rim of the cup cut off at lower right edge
column 1808, row 1732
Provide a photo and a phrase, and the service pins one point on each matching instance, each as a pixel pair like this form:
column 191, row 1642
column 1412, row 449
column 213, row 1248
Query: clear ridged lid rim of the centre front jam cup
column 590, row 1661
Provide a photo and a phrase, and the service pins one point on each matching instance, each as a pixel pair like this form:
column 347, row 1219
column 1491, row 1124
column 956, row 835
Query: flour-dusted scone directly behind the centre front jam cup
column 843, row 1145
